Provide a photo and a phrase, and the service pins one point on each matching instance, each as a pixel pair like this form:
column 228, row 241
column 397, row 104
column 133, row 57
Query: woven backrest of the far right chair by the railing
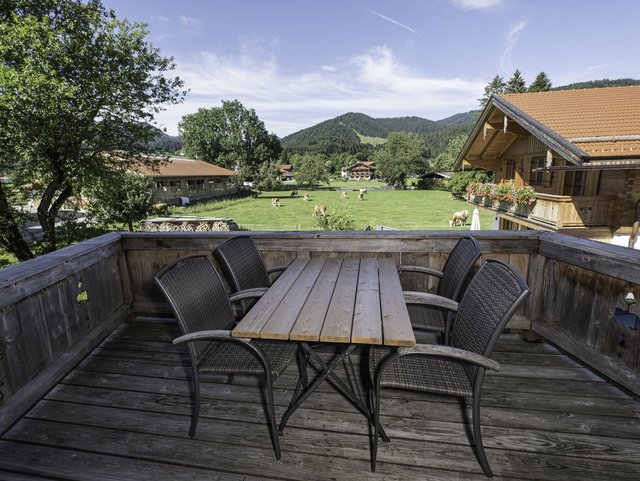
column 457, row 267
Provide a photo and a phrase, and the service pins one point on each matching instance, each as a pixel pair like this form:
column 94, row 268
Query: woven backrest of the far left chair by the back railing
column 242, row 263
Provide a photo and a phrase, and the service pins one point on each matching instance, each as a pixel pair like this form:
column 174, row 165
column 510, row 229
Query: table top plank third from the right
column 339, row 319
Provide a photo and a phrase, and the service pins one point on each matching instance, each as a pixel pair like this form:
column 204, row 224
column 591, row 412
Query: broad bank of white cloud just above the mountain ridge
column 373, row 83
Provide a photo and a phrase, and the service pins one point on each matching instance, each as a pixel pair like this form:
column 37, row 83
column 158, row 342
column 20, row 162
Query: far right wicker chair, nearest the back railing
column 455, row 273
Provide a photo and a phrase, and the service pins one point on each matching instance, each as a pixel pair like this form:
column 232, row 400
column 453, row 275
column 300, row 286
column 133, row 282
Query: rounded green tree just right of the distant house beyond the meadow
column 402, row 155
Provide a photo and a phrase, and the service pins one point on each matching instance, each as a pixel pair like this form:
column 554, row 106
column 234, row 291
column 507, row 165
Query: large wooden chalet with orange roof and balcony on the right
column 578, row 149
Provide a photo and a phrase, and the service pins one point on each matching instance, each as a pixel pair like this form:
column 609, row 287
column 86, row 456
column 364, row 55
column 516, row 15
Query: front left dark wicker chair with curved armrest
column 203, row 309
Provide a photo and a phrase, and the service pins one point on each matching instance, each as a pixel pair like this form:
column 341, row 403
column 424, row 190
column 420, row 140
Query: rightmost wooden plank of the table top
column 396, row 325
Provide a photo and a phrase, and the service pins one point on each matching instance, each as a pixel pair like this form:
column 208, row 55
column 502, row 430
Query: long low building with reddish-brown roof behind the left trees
column 181, row 180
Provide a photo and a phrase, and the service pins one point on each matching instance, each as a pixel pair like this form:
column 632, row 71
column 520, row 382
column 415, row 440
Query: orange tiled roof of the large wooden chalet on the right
column 575, row 114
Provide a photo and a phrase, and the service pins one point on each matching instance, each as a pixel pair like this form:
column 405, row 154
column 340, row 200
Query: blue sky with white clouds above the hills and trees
column 299, row 62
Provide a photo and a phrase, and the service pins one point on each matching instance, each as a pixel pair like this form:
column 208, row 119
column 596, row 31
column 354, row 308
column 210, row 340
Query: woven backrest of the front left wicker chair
column 197, row 296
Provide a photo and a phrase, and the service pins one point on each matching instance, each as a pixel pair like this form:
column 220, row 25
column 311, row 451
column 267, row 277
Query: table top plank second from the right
column 367, row 318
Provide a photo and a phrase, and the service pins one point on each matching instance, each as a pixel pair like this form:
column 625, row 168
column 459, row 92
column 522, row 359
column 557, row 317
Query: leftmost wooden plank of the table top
column 254, row 321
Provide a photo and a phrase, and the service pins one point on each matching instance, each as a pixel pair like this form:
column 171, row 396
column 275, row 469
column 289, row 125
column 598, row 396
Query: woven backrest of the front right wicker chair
column 490, row 300
